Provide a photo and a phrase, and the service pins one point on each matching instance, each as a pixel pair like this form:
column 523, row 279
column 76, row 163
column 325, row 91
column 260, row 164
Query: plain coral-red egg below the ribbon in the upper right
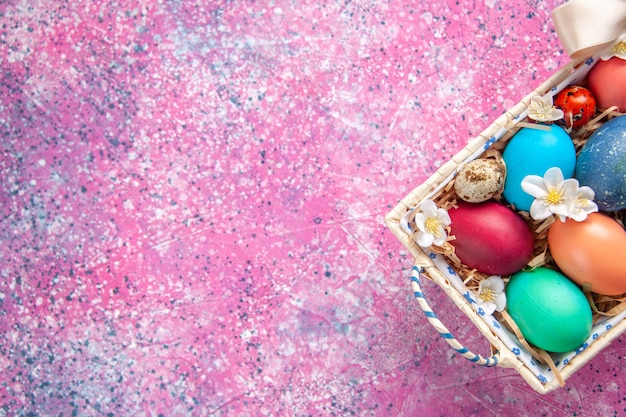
column 607, row 82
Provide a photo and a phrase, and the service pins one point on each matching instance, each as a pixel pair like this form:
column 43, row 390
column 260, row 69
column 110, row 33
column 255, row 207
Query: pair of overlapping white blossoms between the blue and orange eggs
column 556, row 195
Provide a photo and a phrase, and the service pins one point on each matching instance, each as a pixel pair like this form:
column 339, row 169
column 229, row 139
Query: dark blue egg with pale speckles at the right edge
column 602, row 164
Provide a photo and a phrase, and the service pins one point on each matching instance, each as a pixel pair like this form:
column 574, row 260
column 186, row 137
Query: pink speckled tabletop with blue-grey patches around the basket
column 192, row 204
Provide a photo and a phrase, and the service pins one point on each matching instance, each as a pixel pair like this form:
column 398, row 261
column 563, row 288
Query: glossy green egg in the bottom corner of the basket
column 550, row 310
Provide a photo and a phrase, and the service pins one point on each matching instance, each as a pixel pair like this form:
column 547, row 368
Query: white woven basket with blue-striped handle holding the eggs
column 507, row 349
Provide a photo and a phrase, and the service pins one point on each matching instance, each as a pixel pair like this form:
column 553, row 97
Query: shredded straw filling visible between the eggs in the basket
column 446, row 198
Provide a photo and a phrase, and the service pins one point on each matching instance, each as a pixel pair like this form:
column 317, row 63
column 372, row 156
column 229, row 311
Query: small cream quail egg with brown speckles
column 479, row 180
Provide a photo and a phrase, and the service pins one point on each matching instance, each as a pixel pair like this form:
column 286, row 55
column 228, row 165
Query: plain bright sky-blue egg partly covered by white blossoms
column 532, row 152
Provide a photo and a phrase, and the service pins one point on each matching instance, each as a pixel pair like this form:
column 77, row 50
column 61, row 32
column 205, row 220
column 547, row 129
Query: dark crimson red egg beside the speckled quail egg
column 490, row 237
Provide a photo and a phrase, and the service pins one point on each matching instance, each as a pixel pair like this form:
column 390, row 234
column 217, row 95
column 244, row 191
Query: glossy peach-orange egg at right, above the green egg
column 591, row 252
